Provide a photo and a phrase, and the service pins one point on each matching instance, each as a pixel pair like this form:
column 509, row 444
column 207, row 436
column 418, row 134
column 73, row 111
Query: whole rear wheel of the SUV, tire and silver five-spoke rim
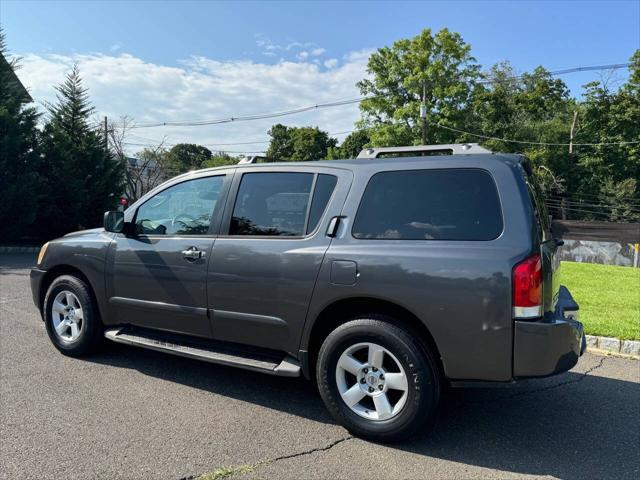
column 377, row 380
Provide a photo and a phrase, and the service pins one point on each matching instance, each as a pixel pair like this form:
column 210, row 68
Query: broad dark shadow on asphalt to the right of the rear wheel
column 573, row 426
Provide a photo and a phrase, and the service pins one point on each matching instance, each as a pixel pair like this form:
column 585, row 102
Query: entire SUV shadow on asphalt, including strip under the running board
column 570, row 426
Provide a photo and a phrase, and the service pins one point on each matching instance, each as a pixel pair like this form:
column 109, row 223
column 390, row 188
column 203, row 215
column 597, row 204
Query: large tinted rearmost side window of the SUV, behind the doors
column 442, row 204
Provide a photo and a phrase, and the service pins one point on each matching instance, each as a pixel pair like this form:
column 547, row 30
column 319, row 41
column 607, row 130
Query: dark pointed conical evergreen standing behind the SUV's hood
column 82, row 178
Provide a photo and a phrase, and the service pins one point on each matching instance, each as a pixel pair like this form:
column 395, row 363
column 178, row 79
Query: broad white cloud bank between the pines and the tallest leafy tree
column 203, row 88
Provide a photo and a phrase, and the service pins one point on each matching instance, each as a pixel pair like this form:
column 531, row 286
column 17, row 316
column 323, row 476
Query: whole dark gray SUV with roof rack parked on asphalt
column 383, row 280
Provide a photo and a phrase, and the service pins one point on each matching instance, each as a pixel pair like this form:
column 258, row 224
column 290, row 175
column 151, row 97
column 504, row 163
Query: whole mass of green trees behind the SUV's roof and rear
column 533, row 111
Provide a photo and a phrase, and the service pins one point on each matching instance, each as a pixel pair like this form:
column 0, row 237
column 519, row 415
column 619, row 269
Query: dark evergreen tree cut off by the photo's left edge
column 19, row 155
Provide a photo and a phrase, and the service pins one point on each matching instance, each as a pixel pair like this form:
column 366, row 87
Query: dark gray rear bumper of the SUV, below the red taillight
column 549, row 346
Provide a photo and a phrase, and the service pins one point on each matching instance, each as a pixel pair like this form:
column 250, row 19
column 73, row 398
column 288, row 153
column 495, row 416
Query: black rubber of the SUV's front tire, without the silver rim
column 91, row 332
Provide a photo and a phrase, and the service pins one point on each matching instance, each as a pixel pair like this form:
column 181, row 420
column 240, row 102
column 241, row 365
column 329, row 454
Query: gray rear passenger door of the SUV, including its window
column 264, row 269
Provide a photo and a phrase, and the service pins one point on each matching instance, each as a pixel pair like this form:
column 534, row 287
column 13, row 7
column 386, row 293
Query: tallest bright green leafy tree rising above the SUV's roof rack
column 438, row 67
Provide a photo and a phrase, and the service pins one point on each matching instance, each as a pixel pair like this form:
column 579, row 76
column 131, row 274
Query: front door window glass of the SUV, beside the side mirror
column 183, row 209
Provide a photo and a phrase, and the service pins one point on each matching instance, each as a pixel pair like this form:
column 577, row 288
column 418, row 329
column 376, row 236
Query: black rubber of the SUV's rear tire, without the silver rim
column 422, row 373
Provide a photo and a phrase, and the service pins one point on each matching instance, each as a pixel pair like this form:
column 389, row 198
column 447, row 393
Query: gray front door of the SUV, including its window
column 159, row 271
